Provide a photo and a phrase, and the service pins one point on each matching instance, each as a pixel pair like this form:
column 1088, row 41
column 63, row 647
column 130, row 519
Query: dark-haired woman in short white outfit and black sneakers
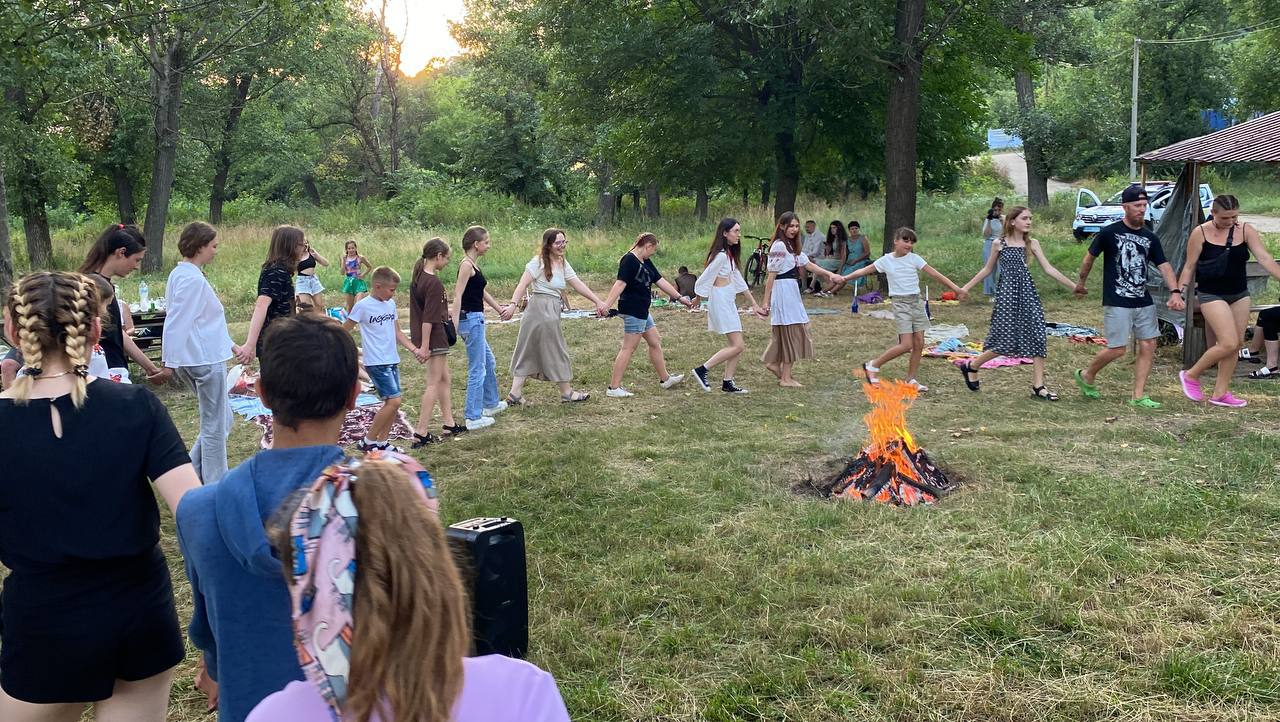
column 720, row 284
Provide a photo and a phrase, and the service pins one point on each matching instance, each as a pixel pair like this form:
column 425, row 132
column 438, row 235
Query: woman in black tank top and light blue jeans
column 469, row 301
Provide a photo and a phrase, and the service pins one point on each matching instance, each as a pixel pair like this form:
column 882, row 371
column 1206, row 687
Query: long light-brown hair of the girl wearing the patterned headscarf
column 412, row 622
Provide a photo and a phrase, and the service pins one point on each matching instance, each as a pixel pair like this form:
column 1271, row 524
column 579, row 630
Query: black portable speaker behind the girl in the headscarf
column 491, row 555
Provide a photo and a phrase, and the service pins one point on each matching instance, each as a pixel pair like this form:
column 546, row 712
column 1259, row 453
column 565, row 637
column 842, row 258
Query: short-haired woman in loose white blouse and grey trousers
column 196, row 346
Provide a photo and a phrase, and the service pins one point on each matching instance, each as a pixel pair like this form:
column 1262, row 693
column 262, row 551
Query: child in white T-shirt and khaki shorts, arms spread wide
column 903, row 271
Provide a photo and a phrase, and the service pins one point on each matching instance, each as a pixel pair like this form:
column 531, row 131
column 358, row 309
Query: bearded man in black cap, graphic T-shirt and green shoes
column 1127, row 248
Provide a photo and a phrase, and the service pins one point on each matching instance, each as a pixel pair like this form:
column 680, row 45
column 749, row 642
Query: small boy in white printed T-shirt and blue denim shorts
column 380, row 332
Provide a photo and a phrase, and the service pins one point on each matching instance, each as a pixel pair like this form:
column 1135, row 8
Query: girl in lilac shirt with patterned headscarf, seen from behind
column 394, row 573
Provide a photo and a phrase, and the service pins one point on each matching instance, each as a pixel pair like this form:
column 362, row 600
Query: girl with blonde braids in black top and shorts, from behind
column 86, row 614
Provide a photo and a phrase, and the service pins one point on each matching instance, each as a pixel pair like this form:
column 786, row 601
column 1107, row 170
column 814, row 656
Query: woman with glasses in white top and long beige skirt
column 541, row 350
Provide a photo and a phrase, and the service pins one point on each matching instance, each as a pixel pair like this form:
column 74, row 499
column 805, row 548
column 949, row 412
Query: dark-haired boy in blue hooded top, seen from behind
column 241, row 619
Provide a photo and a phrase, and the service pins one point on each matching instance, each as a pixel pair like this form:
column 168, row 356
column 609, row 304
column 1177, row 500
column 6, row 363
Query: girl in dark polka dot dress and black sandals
column 1018, row 317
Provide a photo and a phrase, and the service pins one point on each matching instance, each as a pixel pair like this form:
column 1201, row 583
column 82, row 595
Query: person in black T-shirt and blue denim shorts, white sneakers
column 637, row 276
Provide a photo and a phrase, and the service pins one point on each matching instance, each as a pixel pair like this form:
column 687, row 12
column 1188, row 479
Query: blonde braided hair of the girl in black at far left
column 54, row 314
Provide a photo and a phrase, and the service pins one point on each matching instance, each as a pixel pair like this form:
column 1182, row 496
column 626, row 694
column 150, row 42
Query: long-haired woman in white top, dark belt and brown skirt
column 790, row 341
